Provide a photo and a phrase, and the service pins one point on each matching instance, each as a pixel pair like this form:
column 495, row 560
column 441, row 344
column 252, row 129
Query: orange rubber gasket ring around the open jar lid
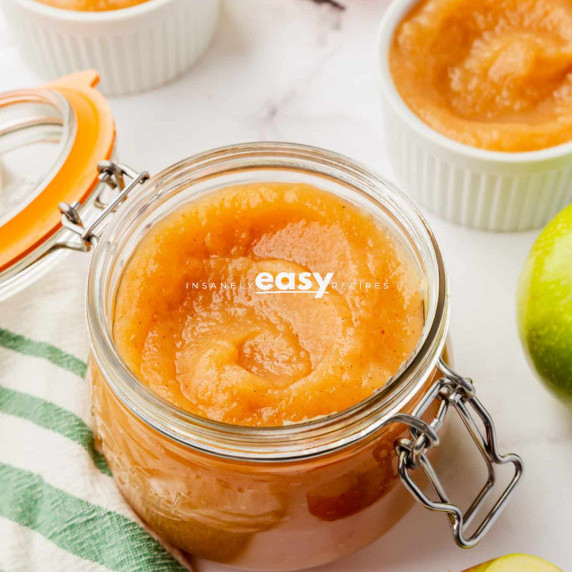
column 77, row 178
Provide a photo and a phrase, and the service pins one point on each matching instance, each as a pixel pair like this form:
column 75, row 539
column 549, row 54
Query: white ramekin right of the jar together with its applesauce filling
column 482, row 180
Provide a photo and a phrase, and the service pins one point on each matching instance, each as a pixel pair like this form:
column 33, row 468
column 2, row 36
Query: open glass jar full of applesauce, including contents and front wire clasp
column 265, row 487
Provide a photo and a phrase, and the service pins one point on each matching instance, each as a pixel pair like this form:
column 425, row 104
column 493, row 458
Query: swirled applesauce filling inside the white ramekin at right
column 494, row 74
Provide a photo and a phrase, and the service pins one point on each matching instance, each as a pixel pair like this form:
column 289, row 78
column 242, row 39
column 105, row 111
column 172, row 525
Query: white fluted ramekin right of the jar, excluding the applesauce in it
column 488, row 190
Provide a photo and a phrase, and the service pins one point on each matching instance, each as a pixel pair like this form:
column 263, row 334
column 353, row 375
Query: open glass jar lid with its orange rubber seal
column 51, row 140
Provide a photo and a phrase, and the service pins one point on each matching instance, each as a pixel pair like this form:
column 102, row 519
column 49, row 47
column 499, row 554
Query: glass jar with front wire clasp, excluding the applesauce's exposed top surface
column 292, row 496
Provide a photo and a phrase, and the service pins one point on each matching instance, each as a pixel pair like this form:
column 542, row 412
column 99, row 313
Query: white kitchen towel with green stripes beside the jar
column 59, row 507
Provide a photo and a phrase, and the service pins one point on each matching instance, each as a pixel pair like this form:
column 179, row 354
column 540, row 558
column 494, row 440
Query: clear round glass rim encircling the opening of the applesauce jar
column 276, row 443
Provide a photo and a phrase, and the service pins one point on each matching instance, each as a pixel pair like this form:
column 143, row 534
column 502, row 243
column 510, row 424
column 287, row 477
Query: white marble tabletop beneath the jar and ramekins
column 298, row 71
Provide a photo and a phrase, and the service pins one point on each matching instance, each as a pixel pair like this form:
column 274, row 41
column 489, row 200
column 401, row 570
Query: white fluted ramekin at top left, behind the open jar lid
column 134, row 49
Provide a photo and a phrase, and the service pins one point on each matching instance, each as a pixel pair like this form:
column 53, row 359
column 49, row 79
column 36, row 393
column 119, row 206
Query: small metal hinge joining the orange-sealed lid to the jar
column 112, row 175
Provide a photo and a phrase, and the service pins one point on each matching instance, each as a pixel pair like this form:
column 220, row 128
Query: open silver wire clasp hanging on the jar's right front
column 458, row 392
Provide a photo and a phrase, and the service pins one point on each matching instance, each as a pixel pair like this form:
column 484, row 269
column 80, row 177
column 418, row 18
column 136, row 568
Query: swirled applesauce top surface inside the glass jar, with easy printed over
column 266, row 304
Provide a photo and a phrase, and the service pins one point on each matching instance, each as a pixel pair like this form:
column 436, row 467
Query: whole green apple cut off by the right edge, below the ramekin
column 545, row 304
